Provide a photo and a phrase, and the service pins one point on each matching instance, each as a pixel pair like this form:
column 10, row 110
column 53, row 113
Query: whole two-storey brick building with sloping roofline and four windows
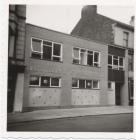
column 63, row 71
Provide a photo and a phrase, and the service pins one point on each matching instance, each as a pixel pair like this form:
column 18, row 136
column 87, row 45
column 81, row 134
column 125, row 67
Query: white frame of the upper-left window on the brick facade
column 52, row 46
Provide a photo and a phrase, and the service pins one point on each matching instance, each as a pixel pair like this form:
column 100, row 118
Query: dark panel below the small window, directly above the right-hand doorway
column 115, row 75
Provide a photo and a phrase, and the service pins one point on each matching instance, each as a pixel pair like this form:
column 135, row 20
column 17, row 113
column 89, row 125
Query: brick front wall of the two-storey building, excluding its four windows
column 64, row 96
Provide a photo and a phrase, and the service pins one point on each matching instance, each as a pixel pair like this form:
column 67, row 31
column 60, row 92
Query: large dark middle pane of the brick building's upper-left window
column 47, row 52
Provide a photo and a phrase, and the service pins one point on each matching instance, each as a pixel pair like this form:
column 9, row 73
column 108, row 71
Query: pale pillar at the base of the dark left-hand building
column 18, row 103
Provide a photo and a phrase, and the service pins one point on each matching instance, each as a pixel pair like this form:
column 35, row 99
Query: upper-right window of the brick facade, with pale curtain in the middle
column 86, row 57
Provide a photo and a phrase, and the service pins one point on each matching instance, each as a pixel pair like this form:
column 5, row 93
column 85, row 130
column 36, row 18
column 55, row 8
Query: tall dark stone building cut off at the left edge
column 16, row 47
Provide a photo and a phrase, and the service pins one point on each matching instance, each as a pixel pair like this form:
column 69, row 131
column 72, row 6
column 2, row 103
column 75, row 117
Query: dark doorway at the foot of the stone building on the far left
column 11, row 91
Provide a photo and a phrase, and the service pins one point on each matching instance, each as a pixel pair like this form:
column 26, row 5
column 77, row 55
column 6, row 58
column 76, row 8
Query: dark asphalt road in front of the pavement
column 101, row 123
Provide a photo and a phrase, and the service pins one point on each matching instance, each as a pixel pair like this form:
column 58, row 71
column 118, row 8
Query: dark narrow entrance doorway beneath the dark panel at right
column 117, row 93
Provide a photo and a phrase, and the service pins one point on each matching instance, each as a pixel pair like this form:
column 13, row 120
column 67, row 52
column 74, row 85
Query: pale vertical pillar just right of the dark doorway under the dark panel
column 124, row 89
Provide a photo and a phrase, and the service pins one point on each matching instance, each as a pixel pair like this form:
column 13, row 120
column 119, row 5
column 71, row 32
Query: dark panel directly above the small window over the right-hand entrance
column 116, row 51
